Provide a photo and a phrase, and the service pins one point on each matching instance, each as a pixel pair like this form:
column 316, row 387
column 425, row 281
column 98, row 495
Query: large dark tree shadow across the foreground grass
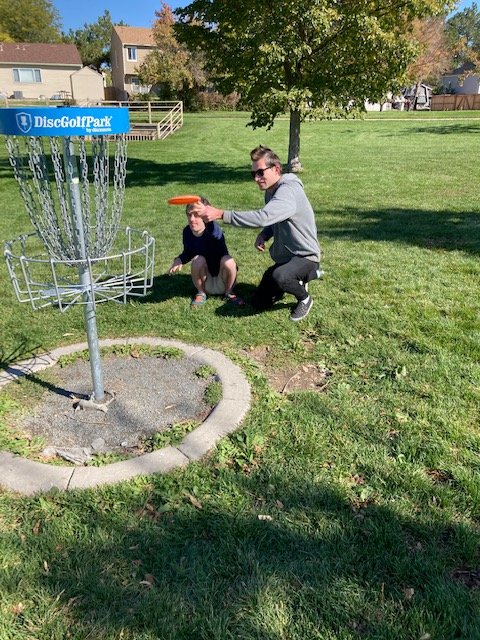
column 317, row 568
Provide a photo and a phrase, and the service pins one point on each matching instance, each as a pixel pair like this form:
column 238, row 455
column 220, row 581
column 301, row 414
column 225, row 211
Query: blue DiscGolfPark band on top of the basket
column 64, row 121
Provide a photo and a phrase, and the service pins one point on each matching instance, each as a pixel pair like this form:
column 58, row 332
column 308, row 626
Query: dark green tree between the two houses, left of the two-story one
column 93, row 41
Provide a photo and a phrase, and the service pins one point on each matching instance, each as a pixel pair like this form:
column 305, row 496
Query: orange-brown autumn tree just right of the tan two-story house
column 171, row 67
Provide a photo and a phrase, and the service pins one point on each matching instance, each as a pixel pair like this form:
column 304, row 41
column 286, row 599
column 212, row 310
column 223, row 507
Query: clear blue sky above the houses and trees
column 136, row 14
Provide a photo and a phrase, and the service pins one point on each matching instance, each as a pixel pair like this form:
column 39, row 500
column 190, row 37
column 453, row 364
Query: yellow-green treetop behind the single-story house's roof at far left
column 29, row 21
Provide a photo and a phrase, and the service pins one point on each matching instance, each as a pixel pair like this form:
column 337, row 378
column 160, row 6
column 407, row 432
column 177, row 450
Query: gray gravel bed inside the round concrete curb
column 149, row 396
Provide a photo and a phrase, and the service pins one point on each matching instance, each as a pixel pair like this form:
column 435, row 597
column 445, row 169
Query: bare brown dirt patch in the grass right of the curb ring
column 304, row 377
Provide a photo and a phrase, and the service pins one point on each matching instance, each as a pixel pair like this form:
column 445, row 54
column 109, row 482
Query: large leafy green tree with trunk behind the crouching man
column 313, row 58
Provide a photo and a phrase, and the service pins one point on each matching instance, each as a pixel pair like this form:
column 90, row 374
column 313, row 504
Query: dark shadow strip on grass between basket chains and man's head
column 147, row 172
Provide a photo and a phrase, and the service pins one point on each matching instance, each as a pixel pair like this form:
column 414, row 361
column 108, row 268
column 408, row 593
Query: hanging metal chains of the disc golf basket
column 50, row 210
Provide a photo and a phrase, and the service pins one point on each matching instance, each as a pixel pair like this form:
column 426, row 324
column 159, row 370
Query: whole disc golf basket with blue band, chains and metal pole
column 77, row 254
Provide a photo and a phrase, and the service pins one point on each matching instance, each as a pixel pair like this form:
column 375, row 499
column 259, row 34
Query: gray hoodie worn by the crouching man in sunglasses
column 287, row 216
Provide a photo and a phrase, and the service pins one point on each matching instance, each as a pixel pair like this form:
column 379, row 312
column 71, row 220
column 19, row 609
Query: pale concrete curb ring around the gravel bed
column 29, row 477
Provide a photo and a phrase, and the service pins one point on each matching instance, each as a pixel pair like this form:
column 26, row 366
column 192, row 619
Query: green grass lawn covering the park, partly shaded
column 351, row 513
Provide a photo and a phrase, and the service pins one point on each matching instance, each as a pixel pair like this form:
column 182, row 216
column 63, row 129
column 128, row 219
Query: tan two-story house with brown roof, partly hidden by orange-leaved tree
column 129, row 48
